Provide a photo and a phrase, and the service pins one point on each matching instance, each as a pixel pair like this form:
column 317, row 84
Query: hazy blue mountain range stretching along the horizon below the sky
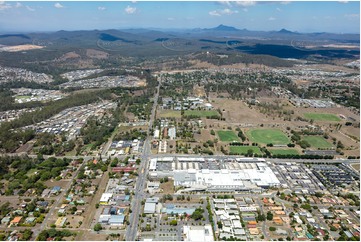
column 283, row 43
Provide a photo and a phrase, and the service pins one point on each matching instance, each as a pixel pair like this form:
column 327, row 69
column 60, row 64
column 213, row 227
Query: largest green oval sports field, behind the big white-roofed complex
column 266, row 136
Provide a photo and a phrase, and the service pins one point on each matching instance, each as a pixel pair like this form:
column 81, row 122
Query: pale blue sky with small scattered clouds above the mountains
column 300, row 16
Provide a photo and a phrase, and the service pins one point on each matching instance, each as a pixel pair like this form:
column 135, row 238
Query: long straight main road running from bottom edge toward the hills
column 132, row 230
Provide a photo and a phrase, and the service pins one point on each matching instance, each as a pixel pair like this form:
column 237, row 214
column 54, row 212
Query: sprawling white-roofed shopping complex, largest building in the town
column 230, row 176
